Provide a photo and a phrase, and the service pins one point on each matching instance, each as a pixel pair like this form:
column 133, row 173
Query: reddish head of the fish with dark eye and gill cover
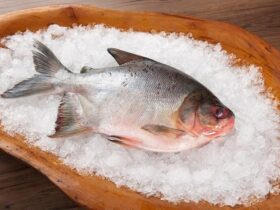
column 202, row 114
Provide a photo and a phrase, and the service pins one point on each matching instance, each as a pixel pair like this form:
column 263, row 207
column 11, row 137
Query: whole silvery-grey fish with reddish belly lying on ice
column 140, row 103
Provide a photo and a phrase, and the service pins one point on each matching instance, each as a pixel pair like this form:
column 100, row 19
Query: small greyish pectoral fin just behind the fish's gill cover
column 163, row 131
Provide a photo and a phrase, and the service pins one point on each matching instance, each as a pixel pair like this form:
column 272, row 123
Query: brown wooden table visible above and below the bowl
column 21, row 187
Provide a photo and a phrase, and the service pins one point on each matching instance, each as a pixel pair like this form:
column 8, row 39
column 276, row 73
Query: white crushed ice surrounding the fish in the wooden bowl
column 230, row 171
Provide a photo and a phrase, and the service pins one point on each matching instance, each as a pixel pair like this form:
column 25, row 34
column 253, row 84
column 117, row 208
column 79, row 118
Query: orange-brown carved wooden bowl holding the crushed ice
column 98, row 193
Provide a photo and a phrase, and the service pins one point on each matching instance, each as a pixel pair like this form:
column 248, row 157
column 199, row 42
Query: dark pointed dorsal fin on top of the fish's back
column 123, row 57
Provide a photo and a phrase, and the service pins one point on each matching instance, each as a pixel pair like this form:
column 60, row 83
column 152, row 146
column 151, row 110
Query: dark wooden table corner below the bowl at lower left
column 19, row 177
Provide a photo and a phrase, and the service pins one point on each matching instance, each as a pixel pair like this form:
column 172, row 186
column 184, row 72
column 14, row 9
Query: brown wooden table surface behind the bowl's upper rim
column 261, row 17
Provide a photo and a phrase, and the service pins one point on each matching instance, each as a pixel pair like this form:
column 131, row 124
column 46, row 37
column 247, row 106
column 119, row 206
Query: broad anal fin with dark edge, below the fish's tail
column 70, row 119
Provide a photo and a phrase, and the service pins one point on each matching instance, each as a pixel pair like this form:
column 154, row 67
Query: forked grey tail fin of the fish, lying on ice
column 47, row 65
